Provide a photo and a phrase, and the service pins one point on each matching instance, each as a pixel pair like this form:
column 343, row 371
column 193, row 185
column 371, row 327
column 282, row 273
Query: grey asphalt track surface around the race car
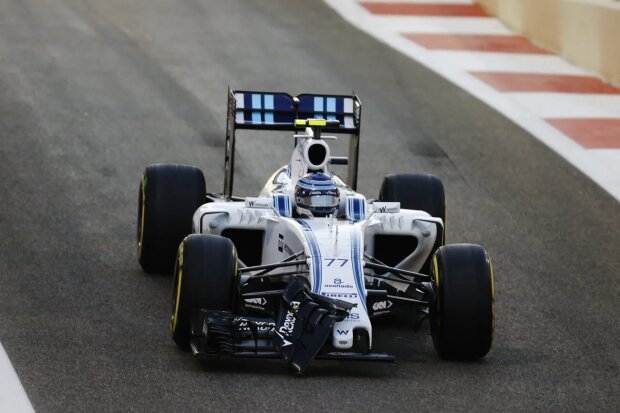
column 92, row 91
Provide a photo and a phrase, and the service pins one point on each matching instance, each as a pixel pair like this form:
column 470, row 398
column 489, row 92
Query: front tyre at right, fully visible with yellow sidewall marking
column 462, row 317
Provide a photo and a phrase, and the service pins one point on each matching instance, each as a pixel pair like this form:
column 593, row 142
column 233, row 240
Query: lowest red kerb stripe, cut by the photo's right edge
column 591, row 133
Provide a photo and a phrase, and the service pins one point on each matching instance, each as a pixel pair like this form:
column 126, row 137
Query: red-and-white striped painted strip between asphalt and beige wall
column 567, row 108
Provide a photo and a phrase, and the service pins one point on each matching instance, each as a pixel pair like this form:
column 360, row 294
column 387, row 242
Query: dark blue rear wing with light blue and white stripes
column 277, row 111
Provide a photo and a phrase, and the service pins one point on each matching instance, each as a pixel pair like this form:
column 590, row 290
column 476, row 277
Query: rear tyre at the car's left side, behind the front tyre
column 168, row 197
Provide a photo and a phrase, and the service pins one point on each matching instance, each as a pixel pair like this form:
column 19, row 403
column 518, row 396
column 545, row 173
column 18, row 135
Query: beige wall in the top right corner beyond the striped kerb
column 585, row 32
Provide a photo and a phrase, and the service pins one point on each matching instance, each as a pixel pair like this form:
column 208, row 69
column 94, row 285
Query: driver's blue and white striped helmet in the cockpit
column 317, row 194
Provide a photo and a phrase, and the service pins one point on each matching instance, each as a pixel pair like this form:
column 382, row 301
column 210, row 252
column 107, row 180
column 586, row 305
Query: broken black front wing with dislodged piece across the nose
column 298, row 334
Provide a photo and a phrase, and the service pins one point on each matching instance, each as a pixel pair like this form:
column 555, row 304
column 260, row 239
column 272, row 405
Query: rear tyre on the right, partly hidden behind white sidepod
column 420, row 192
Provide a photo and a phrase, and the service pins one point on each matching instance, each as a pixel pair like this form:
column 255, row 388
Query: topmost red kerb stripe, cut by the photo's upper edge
column 412, row 9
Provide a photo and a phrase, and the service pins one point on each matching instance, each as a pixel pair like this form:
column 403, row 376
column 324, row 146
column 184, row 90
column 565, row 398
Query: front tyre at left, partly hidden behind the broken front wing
column 204, row 278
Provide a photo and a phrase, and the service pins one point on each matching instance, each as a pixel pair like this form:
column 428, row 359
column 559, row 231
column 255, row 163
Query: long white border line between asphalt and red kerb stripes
column 604, row 169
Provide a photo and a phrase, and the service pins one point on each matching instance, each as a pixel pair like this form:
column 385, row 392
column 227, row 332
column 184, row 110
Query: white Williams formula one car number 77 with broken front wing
column 299, row 271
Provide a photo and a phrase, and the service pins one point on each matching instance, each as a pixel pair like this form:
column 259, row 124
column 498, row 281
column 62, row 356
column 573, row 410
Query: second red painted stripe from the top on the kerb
column 479, row 43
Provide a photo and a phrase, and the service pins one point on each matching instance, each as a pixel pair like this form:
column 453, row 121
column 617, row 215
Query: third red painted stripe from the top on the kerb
column 527, row 82
